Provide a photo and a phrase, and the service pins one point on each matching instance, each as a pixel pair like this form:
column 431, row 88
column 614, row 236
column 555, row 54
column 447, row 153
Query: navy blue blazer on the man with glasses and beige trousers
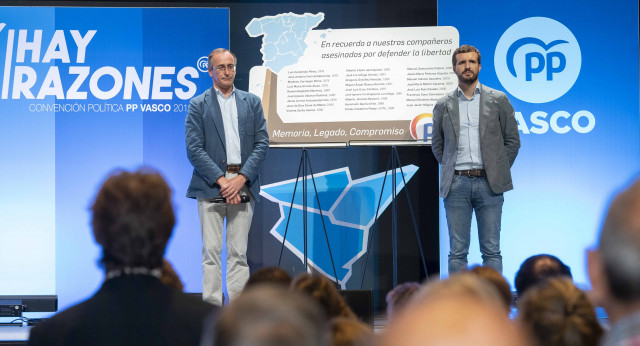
column 206, row 142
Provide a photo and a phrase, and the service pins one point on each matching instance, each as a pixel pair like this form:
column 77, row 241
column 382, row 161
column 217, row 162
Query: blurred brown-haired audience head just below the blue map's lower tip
column 323, row 291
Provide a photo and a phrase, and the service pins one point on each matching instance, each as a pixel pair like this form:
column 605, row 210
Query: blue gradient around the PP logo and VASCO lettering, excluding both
column 563, row 182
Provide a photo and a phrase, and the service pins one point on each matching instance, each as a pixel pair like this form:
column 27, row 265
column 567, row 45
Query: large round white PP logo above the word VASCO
column 537, row 59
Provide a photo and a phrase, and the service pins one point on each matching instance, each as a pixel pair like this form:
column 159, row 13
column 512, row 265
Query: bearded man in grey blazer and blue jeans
column 476, row 140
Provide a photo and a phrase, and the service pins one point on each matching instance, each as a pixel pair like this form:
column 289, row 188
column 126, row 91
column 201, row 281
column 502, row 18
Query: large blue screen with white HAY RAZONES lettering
column 84, row 91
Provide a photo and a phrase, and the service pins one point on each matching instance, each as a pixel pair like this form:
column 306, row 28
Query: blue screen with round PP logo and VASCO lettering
column 570, row 69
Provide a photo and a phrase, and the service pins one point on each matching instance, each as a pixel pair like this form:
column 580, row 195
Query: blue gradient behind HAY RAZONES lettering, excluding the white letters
column 52, row 164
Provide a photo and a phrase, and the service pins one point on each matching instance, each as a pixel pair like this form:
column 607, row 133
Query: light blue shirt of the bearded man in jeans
column 469, row 151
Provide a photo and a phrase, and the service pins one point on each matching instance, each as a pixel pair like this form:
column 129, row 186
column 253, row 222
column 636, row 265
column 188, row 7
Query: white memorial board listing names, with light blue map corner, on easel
column 345, row 85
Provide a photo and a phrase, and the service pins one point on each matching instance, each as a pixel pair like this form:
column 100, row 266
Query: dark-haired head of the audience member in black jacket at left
column 133, row 220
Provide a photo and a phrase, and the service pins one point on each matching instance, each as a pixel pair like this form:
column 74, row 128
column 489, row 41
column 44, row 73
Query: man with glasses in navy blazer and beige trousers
column 227, row 140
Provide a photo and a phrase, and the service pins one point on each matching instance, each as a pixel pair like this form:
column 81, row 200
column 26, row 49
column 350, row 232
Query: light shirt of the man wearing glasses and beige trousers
column 229, row 110
